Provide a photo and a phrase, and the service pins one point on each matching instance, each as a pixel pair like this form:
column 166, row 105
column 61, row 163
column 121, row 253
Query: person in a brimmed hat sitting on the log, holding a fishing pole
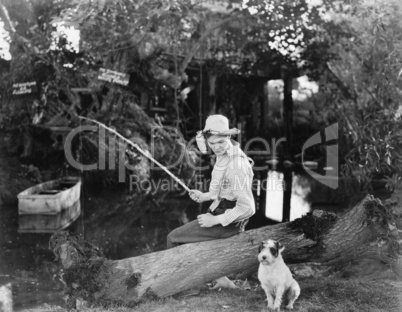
column 230, row 190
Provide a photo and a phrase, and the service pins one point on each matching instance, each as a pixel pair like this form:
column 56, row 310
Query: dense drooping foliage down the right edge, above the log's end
column 363, row 88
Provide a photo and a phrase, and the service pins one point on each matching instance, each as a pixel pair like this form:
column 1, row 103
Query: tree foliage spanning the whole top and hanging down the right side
column 352, row 47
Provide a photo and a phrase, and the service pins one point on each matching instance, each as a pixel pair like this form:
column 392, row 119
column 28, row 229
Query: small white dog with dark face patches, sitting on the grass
column 275, row 277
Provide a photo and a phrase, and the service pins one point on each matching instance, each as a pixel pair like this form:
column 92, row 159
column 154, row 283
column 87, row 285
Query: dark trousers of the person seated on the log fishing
column 192, row 232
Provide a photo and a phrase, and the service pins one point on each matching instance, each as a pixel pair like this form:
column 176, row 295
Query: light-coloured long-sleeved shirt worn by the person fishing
column 231, row 179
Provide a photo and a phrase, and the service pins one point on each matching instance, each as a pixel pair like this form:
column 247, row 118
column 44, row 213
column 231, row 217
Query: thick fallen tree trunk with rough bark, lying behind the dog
column 366, row 231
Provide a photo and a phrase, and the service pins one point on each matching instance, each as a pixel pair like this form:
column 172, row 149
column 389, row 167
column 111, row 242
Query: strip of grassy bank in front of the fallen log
column 329, row 294
